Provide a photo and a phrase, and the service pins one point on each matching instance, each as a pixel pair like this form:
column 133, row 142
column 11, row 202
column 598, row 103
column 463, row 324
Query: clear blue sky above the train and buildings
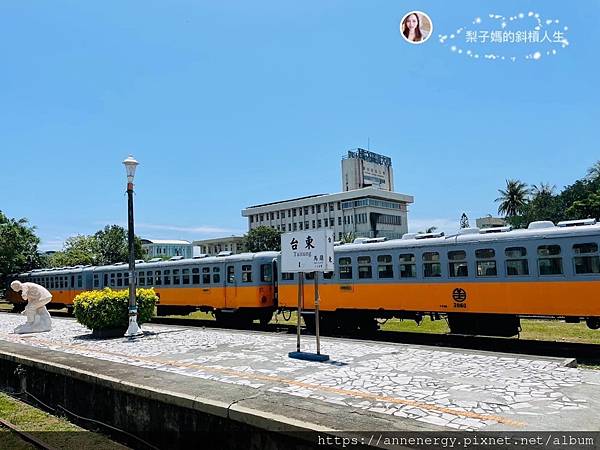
column 234, row 103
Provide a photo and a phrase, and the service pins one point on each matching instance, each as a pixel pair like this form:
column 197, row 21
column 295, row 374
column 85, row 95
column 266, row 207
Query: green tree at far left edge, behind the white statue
column 18, row 247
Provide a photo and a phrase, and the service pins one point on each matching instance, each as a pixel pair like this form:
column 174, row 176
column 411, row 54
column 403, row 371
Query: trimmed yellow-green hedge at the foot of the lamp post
column 105, row 309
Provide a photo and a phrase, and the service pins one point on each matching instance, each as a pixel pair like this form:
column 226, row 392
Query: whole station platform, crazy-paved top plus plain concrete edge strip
column 248, row 377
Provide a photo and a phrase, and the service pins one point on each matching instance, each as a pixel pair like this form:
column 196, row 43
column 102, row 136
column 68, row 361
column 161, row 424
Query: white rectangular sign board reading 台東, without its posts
column 307, row 251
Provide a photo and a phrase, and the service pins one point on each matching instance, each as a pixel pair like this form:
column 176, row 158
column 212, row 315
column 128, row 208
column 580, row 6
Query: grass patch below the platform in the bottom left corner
column 65, row 434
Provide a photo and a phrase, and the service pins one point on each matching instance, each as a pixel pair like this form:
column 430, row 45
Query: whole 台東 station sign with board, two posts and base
column 301, row 252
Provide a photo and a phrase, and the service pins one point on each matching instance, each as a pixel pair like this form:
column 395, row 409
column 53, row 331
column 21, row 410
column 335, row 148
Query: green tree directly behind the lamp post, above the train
column 111, row 246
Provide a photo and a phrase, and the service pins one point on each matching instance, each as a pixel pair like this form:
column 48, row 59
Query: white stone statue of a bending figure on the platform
column 38, row 317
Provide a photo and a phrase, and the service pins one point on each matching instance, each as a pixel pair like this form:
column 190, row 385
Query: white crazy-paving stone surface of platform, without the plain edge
column 453, row 389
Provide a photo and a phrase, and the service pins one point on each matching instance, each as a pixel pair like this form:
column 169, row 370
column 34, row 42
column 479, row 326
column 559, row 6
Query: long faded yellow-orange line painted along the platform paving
column 333, row 390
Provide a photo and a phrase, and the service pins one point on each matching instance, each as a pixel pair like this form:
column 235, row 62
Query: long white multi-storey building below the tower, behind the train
column 366, row 212
